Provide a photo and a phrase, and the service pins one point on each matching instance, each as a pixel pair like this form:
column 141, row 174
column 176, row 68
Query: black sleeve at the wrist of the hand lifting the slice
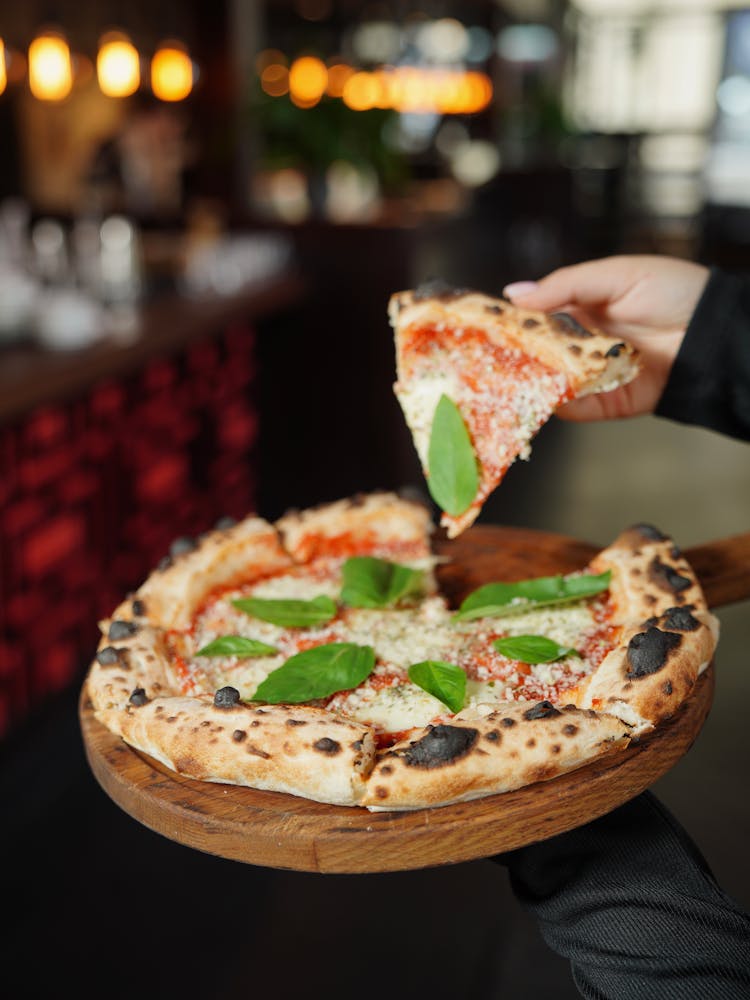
column 709, row 384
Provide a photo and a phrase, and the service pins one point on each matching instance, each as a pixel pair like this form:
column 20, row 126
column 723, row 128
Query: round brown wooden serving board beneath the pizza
column 283, row 831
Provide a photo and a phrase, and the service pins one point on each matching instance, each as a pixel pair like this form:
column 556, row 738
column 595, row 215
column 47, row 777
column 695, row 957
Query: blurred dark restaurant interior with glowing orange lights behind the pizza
column 204, row 208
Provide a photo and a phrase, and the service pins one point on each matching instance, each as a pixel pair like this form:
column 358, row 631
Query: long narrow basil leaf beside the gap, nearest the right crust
column 497, row 599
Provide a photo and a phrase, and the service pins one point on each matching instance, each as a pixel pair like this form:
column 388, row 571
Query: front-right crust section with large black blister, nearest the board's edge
column 487, row 751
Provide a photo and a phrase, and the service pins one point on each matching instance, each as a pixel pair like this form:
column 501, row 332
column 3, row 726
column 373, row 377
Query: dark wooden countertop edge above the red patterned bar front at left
column 31, row 375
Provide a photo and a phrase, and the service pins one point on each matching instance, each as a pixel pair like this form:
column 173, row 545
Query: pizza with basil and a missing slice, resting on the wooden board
column 316, row 656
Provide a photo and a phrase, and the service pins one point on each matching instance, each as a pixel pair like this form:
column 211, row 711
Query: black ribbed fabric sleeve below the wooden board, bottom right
column 631, row 903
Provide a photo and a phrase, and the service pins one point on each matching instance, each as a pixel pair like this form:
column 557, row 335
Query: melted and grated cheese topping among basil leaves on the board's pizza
column 400, row 637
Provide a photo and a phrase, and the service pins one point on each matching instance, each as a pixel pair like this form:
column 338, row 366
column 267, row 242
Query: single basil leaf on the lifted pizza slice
column 453, row 475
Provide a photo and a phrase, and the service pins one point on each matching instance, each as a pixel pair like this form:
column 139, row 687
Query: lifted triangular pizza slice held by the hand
column 477, row 378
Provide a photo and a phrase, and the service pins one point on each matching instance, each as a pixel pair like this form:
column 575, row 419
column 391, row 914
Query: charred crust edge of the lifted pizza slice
column 593, row 360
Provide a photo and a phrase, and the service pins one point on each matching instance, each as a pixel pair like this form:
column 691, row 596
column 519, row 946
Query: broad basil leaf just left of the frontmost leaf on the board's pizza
column 317, row 673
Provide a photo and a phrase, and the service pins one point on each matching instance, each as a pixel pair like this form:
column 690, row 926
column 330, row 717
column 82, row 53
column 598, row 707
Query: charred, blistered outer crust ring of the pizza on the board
column 667, row 635
